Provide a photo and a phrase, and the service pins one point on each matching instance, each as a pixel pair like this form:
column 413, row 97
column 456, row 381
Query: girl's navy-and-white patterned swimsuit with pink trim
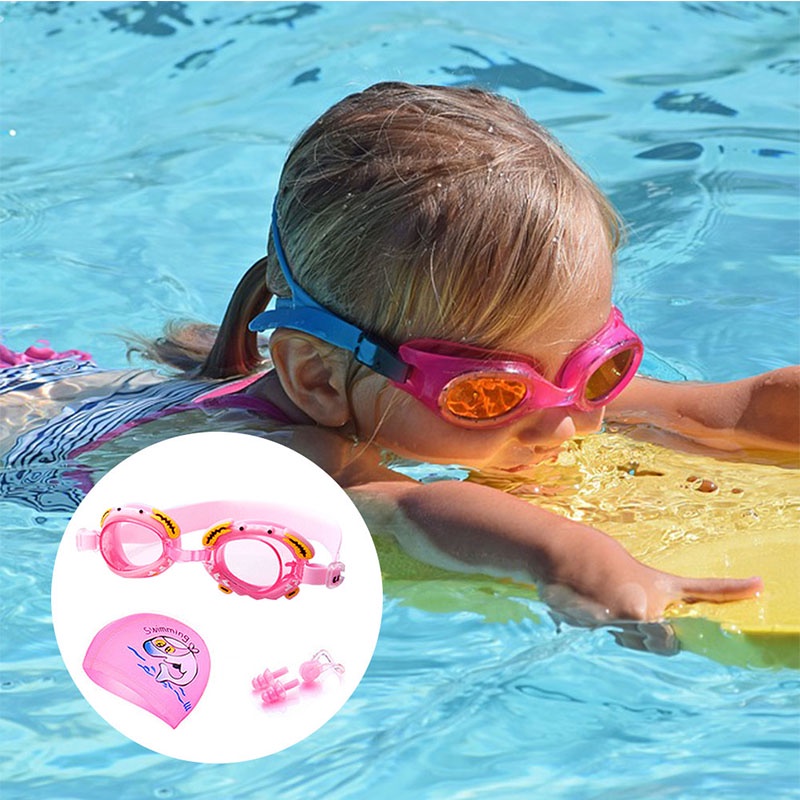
column 39, row 468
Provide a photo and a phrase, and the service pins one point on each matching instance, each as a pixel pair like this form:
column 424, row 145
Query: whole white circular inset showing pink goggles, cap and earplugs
column 167, row 510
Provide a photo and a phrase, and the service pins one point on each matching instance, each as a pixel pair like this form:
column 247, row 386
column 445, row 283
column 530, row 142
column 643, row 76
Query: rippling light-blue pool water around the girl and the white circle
column 141, row 145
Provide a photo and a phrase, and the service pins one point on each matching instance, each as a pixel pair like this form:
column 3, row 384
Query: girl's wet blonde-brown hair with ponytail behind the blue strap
column 427, row 211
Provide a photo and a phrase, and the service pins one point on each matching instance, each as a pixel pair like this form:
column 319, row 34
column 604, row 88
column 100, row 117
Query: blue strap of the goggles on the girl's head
column 301, row 312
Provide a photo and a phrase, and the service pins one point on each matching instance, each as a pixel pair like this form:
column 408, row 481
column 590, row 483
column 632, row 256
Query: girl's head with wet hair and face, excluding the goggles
column 432, row 212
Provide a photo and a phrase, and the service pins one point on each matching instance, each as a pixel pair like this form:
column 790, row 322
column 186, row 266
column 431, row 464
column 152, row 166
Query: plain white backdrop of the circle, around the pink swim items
column 244, row 636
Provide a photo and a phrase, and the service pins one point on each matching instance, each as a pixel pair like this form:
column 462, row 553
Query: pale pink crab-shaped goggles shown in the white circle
column 250, row 549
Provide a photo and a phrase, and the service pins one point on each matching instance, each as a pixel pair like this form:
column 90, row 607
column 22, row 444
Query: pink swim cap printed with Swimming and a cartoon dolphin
column 153, row 661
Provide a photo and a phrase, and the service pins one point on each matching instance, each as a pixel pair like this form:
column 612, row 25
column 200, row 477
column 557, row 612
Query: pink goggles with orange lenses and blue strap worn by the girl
column 467, row 385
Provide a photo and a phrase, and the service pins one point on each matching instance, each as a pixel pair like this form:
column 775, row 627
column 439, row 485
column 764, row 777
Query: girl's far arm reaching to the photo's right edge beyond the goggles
column 762, row 412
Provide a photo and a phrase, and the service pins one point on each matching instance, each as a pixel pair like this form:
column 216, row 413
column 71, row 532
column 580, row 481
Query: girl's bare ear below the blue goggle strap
column 313, row 375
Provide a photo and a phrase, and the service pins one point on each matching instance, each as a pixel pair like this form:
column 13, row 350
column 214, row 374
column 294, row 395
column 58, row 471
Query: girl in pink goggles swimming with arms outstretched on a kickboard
column 444, row 275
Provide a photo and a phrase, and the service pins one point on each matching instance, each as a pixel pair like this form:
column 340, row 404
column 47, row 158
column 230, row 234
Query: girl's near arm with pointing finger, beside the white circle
column 581, row 572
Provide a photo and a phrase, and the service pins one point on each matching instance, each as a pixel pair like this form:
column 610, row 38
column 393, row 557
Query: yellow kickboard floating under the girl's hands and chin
column 698, row 516
